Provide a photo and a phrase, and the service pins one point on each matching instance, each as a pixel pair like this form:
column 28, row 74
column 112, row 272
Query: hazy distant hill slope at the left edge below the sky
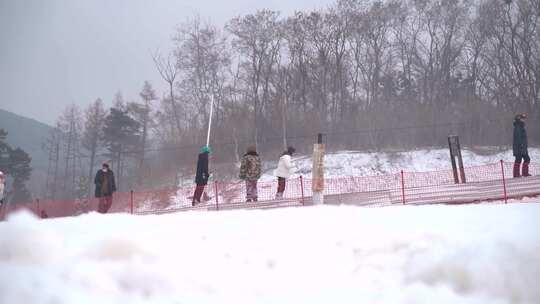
column 28, row 134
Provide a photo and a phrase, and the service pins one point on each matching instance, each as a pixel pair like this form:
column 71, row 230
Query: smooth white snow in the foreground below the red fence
column 428, row 254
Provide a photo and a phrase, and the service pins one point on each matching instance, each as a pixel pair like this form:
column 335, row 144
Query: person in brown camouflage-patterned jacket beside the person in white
column 250, row 171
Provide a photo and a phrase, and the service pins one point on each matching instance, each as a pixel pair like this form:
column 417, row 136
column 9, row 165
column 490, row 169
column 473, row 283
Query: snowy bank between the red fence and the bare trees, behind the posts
column 356, row 163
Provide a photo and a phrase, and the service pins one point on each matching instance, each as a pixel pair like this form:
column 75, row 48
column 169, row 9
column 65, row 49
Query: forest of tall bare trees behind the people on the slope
column 371, row 75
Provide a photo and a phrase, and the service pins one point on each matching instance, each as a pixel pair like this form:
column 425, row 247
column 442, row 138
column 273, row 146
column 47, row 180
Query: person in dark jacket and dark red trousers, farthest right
column 520, row 146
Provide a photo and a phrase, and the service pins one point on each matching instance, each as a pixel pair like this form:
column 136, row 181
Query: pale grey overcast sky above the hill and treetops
column 57, row 52
